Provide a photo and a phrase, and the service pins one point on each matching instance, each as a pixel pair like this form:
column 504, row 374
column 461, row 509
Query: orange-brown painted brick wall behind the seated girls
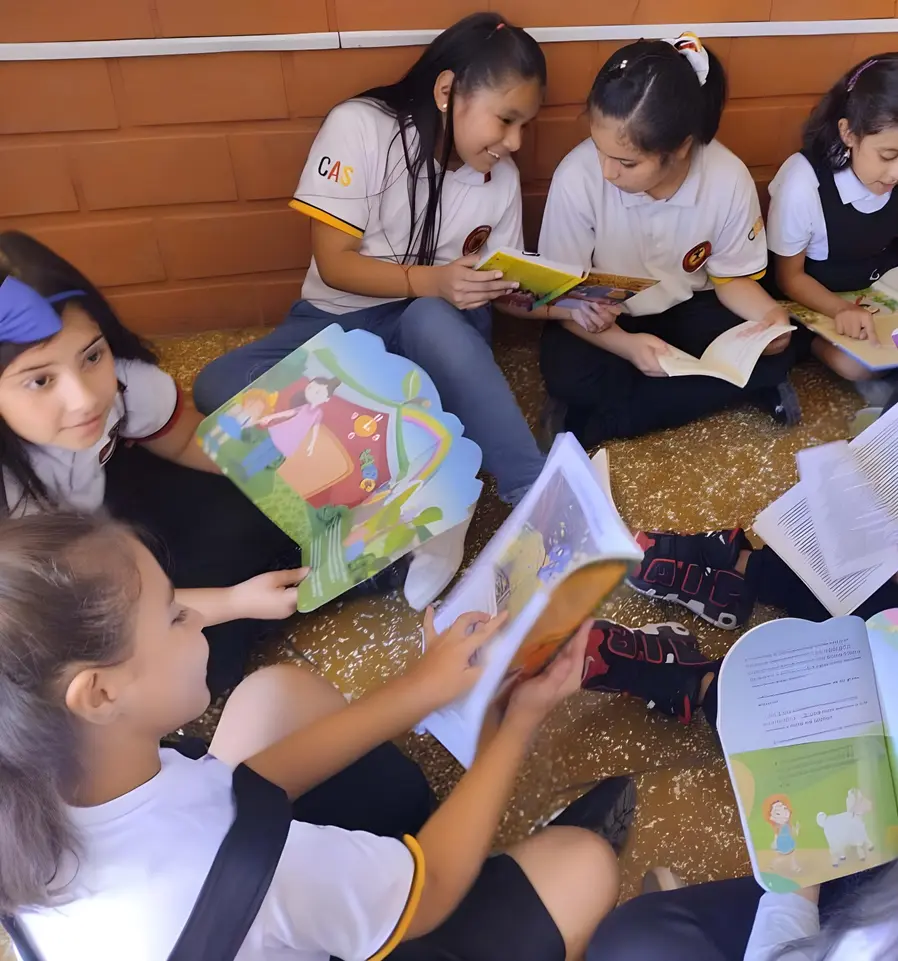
column 165, row 178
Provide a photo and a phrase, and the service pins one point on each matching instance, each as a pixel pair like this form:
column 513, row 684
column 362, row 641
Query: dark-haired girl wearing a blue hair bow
column 87, row 419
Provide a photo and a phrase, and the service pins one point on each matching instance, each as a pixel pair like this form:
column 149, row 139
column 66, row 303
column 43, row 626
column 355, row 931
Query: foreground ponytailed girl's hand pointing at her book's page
column 449, row 668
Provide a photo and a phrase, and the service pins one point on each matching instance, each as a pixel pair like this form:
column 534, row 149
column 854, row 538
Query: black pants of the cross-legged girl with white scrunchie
column 607, row 397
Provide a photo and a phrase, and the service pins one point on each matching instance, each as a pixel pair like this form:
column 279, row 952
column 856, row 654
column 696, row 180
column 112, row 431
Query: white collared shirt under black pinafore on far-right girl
column 795, row 222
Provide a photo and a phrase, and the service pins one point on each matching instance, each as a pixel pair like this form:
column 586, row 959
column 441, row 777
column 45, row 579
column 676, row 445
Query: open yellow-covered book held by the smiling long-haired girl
column 545, row 282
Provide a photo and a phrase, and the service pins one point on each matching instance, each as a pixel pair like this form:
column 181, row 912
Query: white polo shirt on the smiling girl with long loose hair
column 356, row 180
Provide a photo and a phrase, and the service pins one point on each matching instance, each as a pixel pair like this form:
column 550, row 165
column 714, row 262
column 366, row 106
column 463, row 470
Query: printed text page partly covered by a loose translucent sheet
column 788, row 528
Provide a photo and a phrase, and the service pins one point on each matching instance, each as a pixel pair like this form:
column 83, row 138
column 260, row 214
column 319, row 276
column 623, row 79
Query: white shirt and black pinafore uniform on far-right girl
column 848, row 233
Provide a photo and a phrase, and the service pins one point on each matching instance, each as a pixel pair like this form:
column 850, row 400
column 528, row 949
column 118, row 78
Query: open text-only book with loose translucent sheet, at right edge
column 836, row 528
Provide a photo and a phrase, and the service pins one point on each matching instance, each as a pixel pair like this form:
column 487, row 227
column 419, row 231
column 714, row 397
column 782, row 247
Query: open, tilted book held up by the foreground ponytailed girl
column 561, row 551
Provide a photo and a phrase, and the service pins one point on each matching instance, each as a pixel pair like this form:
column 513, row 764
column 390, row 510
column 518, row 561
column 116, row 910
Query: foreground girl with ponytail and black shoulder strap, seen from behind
column 106, row 840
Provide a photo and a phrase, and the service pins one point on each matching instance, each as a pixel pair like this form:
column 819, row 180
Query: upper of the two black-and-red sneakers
column 698, row 572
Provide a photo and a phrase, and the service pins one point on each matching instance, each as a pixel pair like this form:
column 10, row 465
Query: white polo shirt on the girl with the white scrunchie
column 710, row 230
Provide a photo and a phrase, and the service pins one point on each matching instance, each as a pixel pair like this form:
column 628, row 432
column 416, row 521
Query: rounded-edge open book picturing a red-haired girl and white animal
column 808, row 719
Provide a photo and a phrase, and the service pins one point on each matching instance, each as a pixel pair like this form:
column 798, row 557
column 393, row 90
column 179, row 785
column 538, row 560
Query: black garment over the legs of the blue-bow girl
column 205, row 534
